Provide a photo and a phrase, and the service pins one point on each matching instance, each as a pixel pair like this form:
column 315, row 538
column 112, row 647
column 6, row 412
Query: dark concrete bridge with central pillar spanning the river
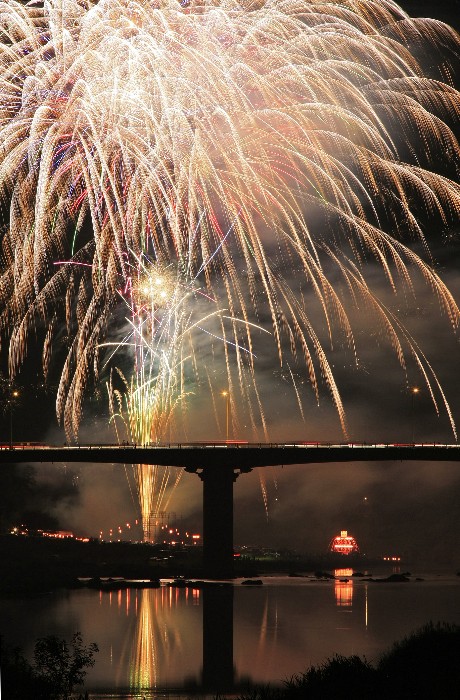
column 218, row 464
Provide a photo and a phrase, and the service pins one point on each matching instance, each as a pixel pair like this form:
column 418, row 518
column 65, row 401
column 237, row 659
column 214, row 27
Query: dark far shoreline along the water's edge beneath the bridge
column 35, row 566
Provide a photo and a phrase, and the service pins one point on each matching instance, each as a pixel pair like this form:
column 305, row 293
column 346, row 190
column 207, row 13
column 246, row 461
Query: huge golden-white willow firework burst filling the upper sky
column 234, row 140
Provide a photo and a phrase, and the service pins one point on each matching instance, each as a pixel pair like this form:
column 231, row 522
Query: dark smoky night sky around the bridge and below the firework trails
column 409, row 509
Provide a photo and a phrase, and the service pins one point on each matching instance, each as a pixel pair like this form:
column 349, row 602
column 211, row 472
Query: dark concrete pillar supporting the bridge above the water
column 218, row 520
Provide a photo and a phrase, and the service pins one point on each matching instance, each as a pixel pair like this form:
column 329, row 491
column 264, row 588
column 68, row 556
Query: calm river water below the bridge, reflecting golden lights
column 181, row 641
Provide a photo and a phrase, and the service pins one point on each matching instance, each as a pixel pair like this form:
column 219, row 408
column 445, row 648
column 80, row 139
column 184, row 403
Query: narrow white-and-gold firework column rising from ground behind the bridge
column 146, row 403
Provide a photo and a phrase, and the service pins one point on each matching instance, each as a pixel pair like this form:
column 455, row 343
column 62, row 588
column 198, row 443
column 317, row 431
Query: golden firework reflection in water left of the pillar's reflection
column 149, row 639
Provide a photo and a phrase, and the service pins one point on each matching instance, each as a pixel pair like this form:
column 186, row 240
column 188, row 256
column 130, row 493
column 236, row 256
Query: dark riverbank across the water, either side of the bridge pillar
column 37, row 565
